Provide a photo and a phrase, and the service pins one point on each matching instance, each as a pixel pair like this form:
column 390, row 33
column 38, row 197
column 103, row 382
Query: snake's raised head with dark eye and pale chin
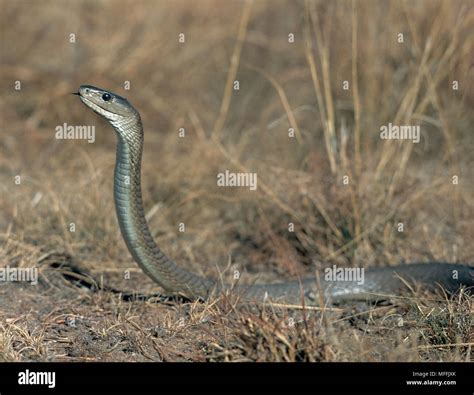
column 107, row 104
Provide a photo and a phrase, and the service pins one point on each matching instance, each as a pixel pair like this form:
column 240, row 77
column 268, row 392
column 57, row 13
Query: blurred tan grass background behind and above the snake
column 291, row 59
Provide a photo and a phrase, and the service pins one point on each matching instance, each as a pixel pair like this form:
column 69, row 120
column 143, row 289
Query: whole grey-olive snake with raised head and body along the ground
column 378, row 283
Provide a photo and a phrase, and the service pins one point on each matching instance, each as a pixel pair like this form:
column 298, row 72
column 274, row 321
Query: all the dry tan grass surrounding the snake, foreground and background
column 282, row 85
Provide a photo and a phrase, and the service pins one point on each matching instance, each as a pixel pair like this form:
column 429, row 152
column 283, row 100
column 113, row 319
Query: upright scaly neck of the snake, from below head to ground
column 132, row 221
